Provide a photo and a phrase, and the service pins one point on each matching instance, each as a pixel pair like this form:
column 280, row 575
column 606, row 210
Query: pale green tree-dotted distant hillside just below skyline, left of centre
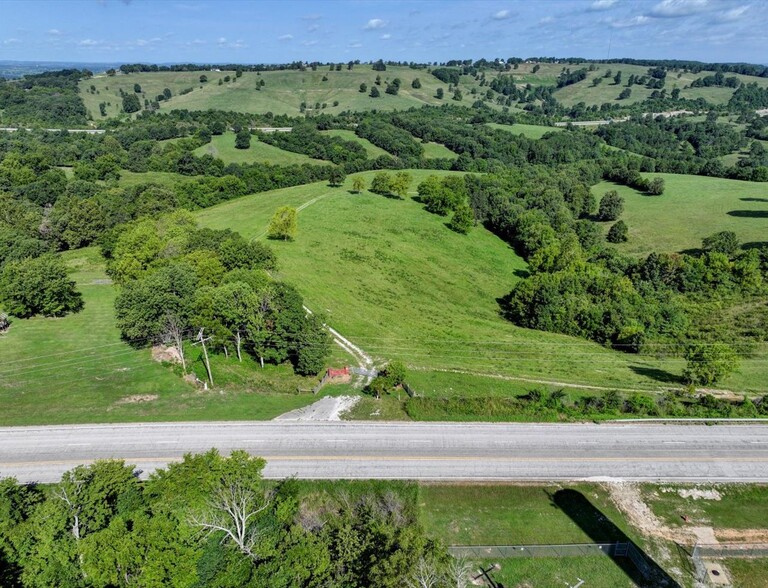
column 282, row 93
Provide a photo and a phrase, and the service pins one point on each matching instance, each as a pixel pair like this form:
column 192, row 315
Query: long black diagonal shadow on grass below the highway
column 601, row 530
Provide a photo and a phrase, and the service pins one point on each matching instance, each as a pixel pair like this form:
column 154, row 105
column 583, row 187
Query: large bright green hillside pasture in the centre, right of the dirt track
column 397, row 282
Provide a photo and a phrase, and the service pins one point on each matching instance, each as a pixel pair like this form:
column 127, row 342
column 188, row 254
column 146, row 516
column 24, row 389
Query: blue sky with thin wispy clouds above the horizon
column 243, row 31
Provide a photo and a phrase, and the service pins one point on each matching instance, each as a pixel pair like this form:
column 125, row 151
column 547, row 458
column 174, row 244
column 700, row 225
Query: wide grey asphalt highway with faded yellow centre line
column 426, row 451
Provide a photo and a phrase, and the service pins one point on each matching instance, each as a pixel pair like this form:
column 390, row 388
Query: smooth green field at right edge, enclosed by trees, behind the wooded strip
column 691, row 208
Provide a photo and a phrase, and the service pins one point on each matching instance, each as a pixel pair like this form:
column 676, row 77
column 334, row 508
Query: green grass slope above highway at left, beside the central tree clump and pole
column 76, row 369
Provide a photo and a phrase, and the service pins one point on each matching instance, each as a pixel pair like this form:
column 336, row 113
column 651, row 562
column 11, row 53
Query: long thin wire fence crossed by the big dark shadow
column 572, row 550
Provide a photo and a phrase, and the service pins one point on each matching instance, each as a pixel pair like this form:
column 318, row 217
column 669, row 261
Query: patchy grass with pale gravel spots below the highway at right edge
column 741, row 506
